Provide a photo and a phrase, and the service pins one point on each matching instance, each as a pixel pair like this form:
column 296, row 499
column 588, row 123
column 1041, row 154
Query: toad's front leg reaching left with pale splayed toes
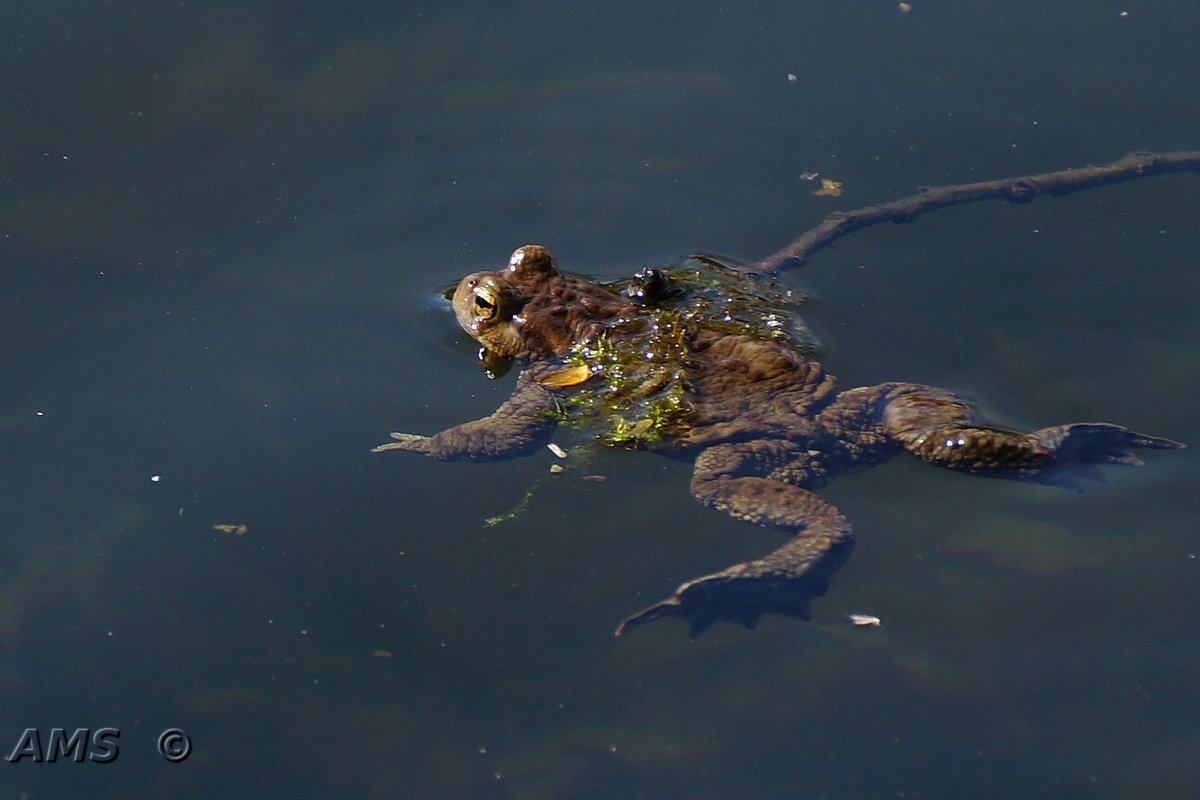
column 520, row 426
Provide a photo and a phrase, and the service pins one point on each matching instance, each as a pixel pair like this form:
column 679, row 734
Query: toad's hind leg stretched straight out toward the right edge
column 935, row 425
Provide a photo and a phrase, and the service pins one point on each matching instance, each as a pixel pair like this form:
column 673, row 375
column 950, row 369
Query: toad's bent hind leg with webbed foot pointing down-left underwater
column 782, row 582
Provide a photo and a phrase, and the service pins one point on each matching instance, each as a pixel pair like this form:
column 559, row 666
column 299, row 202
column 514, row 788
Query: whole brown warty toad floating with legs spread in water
column 764, row 424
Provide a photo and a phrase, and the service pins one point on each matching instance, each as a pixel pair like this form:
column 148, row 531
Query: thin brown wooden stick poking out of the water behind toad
column 1016, row 190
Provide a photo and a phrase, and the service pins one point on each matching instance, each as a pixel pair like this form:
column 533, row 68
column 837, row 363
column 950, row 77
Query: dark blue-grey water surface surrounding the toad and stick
column 223, row 233
